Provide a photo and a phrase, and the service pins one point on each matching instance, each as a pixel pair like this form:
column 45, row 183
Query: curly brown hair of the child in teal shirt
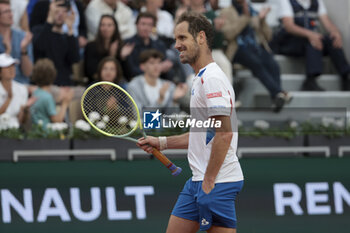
column 44, row 72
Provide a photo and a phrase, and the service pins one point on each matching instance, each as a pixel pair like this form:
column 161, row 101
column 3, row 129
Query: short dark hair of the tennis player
column 198, row 22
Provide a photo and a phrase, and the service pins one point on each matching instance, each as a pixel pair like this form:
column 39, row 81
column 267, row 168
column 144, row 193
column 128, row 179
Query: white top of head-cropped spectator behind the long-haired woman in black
column 122, row 13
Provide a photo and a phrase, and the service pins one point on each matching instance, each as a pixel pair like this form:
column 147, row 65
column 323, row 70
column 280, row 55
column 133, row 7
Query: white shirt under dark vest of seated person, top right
column 286, row 9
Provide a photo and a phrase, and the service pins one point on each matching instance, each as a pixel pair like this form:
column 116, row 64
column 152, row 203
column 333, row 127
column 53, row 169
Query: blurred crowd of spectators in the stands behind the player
column 50, row 51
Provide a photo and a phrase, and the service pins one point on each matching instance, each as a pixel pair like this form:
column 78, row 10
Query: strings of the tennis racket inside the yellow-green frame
column 111, row 110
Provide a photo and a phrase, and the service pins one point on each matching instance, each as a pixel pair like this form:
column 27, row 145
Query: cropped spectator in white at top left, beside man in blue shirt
column 20, row 16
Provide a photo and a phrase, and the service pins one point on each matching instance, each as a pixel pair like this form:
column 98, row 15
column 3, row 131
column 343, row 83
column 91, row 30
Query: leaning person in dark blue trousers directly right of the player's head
column 248, row 34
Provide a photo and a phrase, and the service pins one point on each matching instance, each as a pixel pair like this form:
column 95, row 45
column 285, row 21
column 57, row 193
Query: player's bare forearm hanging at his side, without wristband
column 219, row 150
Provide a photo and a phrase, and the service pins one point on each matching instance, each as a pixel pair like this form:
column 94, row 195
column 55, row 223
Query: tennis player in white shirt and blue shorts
column 207, row 201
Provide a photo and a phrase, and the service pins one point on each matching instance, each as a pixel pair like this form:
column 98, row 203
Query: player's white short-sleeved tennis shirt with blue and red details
column 212, row 95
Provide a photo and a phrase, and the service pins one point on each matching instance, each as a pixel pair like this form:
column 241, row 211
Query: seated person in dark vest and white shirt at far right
column 301, row 36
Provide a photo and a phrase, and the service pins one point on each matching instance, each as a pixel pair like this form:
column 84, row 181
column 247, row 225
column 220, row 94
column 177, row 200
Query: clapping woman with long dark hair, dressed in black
column 107, row 43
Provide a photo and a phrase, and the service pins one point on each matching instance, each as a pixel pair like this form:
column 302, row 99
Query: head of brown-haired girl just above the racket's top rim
column 109, row 70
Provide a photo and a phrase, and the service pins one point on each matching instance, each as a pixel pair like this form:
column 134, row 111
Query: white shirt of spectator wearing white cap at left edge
column 19, row 99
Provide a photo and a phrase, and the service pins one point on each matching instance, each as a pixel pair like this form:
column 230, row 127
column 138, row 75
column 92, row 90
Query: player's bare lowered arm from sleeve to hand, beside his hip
column 221, row 144
